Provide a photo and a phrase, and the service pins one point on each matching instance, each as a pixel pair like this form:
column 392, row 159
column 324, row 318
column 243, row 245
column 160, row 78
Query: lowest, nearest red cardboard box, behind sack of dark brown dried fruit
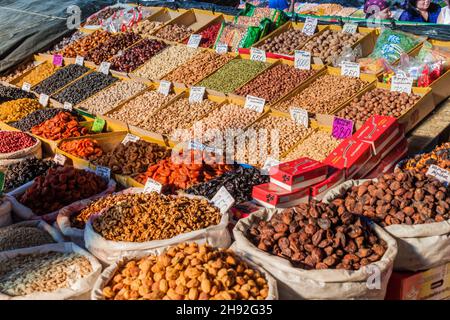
column 272, row 196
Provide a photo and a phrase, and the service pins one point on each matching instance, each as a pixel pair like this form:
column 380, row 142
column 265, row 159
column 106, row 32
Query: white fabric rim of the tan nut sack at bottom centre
column 110, row 271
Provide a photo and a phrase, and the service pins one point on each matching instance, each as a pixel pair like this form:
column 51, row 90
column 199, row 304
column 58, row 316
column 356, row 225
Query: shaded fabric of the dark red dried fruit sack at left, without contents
column 26, row 213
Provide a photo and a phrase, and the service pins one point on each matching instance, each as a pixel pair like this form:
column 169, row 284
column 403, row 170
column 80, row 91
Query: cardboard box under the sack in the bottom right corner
column 433, row 284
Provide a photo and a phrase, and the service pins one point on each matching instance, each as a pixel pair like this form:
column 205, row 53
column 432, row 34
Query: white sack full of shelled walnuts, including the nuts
column 150, row 221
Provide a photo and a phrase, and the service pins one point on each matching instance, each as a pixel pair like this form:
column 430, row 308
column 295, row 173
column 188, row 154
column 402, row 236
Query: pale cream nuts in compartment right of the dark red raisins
column 165, row 61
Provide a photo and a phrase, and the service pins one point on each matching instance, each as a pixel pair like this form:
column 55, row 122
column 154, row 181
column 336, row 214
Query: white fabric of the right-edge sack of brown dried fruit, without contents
column 420, row 247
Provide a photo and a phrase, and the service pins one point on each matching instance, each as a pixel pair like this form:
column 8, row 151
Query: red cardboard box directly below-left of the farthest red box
column 351, row 155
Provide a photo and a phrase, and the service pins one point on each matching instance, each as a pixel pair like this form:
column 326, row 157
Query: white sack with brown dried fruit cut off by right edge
column 412, row 207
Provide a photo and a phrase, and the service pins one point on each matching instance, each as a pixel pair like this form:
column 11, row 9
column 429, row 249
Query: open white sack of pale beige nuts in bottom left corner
column 58, row 271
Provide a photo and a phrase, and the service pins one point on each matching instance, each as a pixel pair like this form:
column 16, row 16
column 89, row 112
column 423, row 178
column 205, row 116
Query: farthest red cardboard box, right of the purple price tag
column 379, row 131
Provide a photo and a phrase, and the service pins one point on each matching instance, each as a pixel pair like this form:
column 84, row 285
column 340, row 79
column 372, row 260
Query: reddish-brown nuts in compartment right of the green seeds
column 275, row 83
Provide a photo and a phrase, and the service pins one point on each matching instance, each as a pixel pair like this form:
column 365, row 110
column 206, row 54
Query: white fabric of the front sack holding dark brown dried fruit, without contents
column 296, row 283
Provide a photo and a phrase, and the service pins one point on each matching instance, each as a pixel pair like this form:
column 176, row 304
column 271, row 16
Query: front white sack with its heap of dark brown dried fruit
column 318, row 251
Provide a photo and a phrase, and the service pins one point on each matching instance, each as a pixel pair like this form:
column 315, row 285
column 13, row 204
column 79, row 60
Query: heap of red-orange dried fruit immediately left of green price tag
column 62, row 126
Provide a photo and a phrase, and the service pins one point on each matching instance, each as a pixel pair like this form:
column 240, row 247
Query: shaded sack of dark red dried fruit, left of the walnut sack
column 57, row 188
